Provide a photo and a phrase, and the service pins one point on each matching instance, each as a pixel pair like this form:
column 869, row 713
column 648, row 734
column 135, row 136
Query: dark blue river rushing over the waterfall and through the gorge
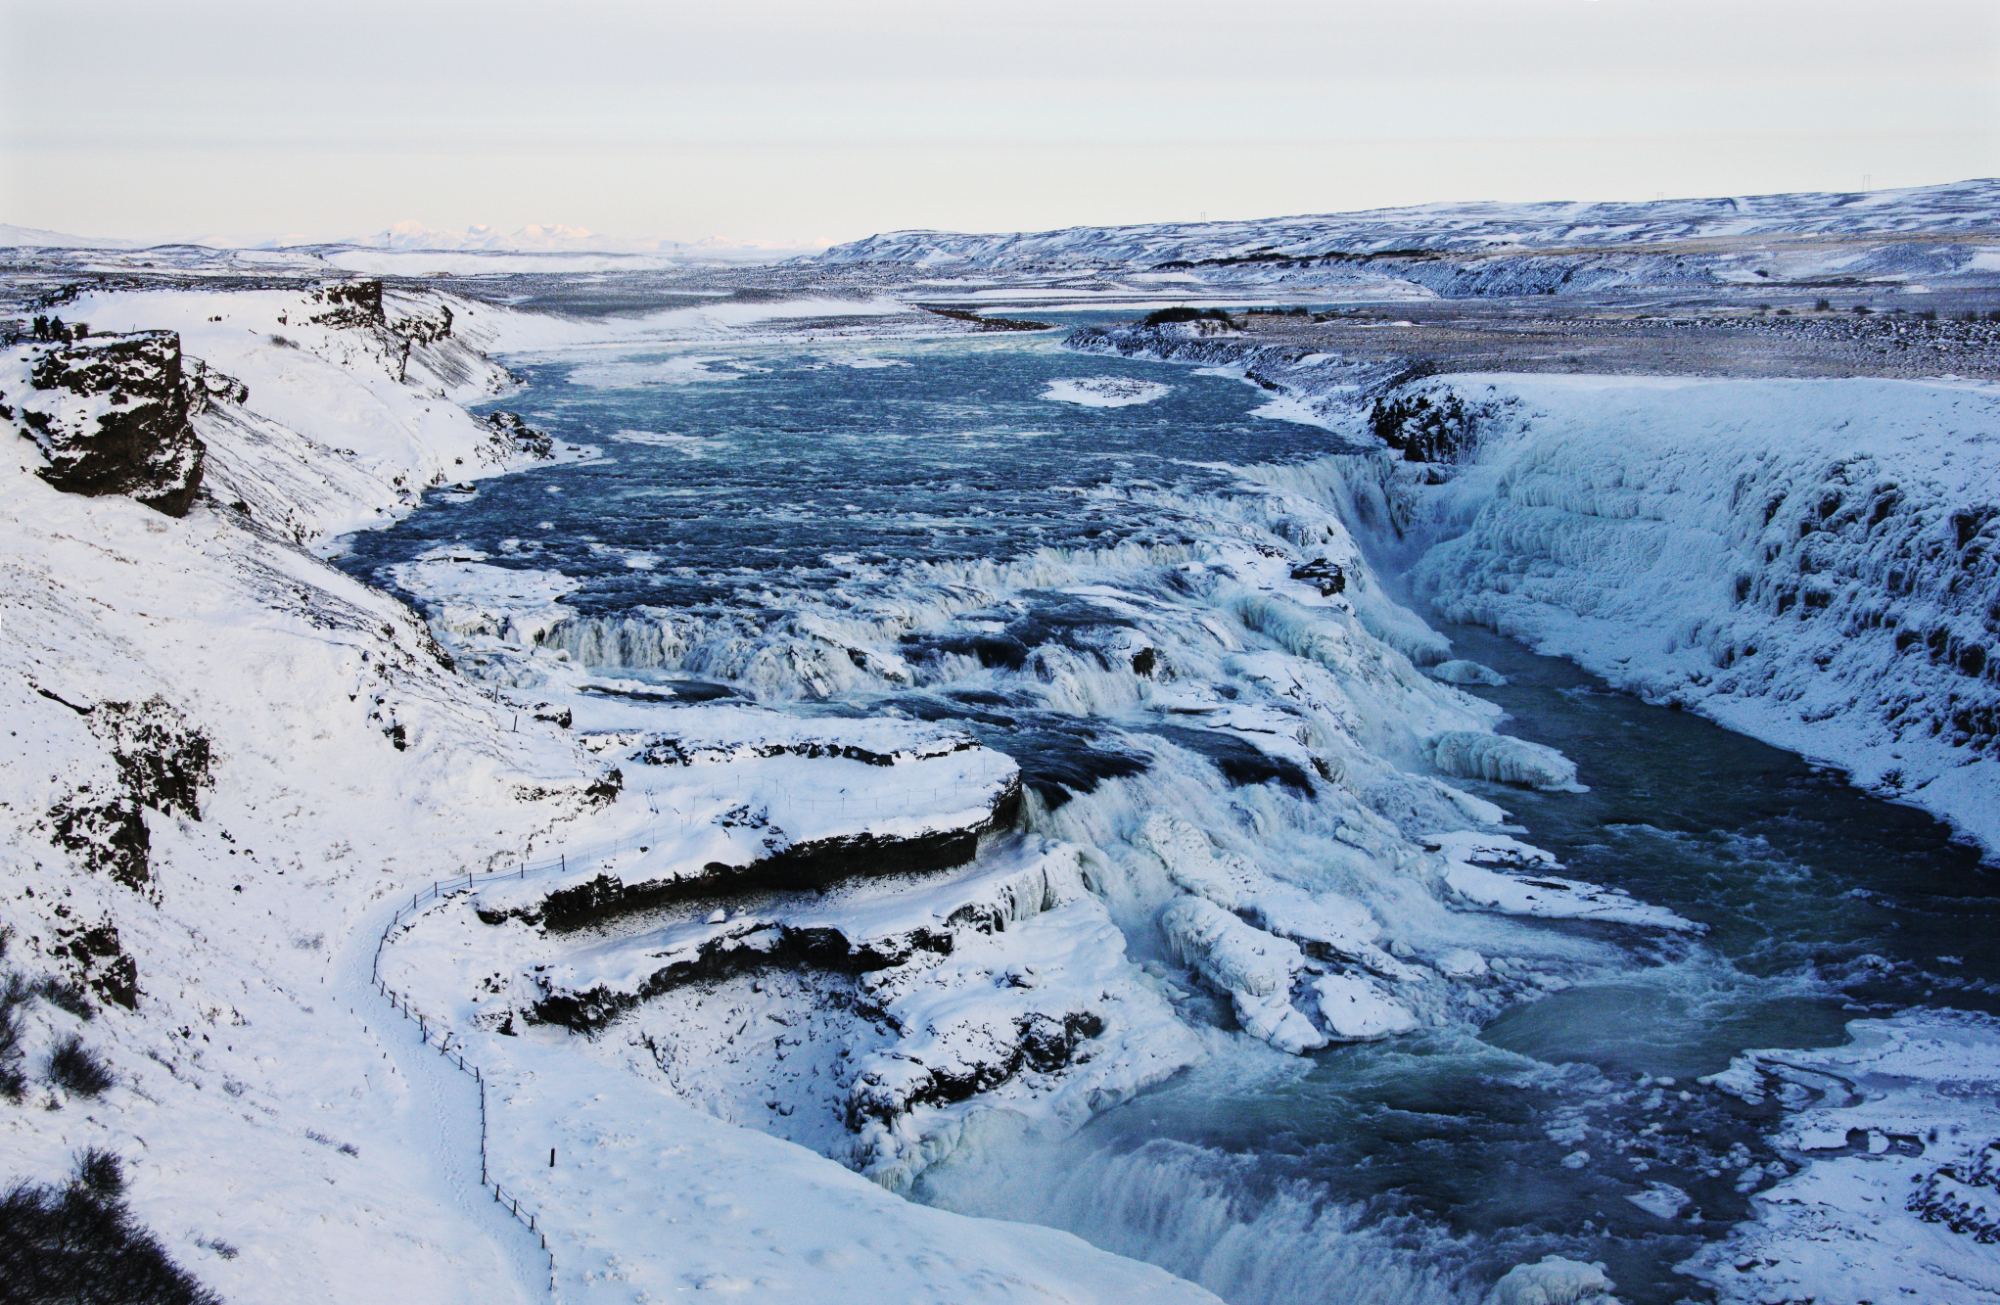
column 921, row 529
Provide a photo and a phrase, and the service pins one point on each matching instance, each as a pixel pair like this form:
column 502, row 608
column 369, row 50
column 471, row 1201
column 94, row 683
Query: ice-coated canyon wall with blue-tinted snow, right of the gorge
column 1809, row 561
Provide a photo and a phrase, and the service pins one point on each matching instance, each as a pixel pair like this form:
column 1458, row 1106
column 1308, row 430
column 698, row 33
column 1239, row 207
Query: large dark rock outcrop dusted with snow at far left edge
column 111, row 415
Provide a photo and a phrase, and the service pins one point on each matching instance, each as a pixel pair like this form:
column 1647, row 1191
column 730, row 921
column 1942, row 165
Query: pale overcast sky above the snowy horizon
column 827, row 121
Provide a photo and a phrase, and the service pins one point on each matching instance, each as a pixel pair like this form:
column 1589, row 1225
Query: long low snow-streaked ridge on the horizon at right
column 1463, row 229
